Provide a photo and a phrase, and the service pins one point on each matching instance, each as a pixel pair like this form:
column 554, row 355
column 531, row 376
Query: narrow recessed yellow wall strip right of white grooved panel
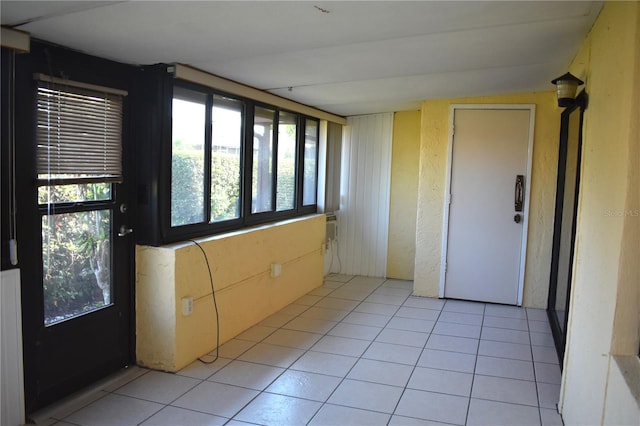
column 403, row 198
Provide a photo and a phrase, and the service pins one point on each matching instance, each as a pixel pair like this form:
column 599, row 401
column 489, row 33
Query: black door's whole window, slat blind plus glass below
column 78, row 152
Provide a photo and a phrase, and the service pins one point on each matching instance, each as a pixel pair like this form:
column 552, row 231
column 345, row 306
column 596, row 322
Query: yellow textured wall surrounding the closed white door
column 431, row 192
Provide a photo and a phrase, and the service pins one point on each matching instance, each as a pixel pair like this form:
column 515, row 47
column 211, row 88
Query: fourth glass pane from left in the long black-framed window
column 286, row 180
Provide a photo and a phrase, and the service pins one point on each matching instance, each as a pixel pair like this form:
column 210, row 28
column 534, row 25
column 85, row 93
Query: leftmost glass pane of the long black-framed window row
column 187, row 157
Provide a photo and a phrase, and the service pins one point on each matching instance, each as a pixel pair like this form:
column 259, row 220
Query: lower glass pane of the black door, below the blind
column 76, row 261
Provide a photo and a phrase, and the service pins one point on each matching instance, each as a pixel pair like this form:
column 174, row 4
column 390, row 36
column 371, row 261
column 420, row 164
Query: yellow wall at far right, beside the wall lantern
column 604, row 314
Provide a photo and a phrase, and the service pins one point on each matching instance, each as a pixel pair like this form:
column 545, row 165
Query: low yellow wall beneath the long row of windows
column 245, row 293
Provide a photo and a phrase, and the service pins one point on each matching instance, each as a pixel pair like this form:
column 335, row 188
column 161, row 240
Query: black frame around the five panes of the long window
column 246, row 218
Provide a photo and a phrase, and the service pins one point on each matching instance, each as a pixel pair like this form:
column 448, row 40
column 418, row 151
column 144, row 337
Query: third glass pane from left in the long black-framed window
column 262, row 176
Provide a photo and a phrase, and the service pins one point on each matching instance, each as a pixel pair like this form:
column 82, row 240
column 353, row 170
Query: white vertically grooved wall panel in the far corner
column 364, row 195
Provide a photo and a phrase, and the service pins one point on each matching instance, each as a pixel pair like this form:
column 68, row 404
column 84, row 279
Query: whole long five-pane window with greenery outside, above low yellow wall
column 236, row 163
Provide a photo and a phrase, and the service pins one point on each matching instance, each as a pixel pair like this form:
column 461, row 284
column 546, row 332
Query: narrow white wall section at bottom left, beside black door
column 12, row 390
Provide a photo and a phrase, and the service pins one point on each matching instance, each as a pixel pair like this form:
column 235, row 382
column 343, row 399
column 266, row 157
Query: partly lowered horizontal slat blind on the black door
column 79, row 133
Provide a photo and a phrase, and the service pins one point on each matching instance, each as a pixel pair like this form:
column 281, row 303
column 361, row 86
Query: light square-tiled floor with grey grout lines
column 356, row 351
